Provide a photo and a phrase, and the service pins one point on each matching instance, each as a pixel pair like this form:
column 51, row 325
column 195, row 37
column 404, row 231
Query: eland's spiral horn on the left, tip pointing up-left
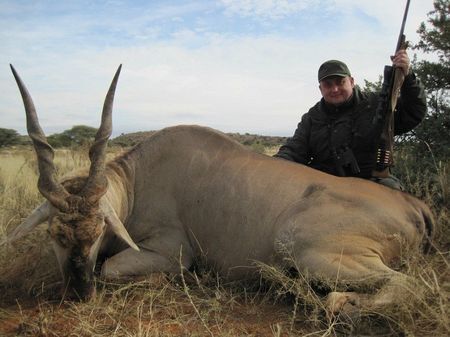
column 50, row 188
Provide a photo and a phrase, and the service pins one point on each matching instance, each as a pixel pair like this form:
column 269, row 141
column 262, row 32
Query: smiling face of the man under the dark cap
column 336, row 90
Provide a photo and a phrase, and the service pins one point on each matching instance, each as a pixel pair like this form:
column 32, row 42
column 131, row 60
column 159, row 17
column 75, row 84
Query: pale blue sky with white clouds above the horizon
column 247, row 66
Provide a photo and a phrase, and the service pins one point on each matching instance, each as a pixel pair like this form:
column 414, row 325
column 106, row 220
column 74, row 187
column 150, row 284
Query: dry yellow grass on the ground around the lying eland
column 187, row 304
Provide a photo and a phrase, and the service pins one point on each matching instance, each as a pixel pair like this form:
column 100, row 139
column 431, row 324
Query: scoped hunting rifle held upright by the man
column 384, row 116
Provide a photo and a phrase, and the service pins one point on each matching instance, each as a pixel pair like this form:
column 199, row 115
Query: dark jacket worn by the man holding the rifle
column 327, row 130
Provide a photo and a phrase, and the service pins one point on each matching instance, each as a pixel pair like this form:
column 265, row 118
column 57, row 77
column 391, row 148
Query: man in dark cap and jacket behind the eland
column 338, row 136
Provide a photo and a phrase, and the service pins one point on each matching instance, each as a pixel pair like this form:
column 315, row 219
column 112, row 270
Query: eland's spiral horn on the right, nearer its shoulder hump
column 96, row 183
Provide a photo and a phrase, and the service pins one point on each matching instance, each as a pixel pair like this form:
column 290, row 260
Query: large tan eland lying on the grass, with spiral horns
column 190, row 191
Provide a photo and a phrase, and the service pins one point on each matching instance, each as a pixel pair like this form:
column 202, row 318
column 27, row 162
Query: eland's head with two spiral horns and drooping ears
column 77, row 215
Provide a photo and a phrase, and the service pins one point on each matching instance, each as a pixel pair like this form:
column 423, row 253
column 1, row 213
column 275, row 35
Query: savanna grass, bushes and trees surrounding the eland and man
column 198, row 303
